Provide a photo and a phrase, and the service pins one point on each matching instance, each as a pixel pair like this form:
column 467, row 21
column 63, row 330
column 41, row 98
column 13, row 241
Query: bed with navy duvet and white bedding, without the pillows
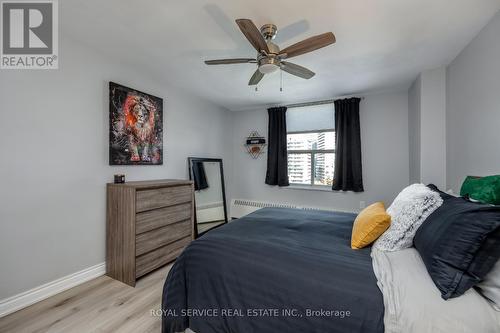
column 289, row 270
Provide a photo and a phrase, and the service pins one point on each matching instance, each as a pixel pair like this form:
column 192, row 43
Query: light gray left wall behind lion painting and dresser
column 54, row 164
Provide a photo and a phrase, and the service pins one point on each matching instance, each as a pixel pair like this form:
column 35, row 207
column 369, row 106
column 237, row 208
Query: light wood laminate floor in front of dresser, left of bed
column 101, row 305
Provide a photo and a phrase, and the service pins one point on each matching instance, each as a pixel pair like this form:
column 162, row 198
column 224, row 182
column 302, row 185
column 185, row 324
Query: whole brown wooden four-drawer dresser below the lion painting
column 148, row 225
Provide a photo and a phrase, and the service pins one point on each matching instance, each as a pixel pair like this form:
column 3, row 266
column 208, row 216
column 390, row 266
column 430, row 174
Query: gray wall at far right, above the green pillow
column 473, row 108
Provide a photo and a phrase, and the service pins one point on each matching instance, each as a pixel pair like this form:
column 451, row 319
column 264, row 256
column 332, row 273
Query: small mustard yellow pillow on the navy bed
column 369, row 225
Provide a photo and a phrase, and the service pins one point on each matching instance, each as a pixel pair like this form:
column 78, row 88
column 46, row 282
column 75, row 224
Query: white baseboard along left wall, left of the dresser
column 24, row 299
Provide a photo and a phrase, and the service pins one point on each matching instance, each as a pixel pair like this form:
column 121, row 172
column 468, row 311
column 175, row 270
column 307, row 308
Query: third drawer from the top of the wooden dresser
column 156, row 238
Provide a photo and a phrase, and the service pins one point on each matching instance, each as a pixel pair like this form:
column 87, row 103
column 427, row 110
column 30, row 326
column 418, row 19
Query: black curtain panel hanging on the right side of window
column 348, row 170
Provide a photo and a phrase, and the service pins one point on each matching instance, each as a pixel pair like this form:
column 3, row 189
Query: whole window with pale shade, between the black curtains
column 311, row 145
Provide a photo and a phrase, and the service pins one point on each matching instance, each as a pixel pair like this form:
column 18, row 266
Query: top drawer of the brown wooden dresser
column 162, row 197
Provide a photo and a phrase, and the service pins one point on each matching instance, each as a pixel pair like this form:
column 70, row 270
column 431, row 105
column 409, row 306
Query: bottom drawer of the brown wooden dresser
column 159, row 257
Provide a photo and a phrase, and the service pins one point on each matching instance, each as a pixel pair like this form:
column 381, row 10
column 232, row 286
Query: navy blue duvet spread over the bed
column 275, row 270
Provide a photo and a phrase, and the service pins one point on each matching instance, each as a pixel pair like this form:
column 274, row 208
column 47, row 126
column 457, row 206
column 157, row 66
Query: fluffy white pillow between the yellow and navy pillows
column 408, row 211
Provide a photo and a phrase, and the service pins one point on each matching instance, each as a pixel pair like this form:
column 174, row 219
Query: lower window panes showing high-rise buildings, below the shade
column 311, row 158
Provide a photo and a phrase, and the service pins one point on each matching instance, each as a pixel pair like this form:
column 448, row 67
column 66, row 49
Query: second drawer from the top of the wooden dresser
column 157, row 218
